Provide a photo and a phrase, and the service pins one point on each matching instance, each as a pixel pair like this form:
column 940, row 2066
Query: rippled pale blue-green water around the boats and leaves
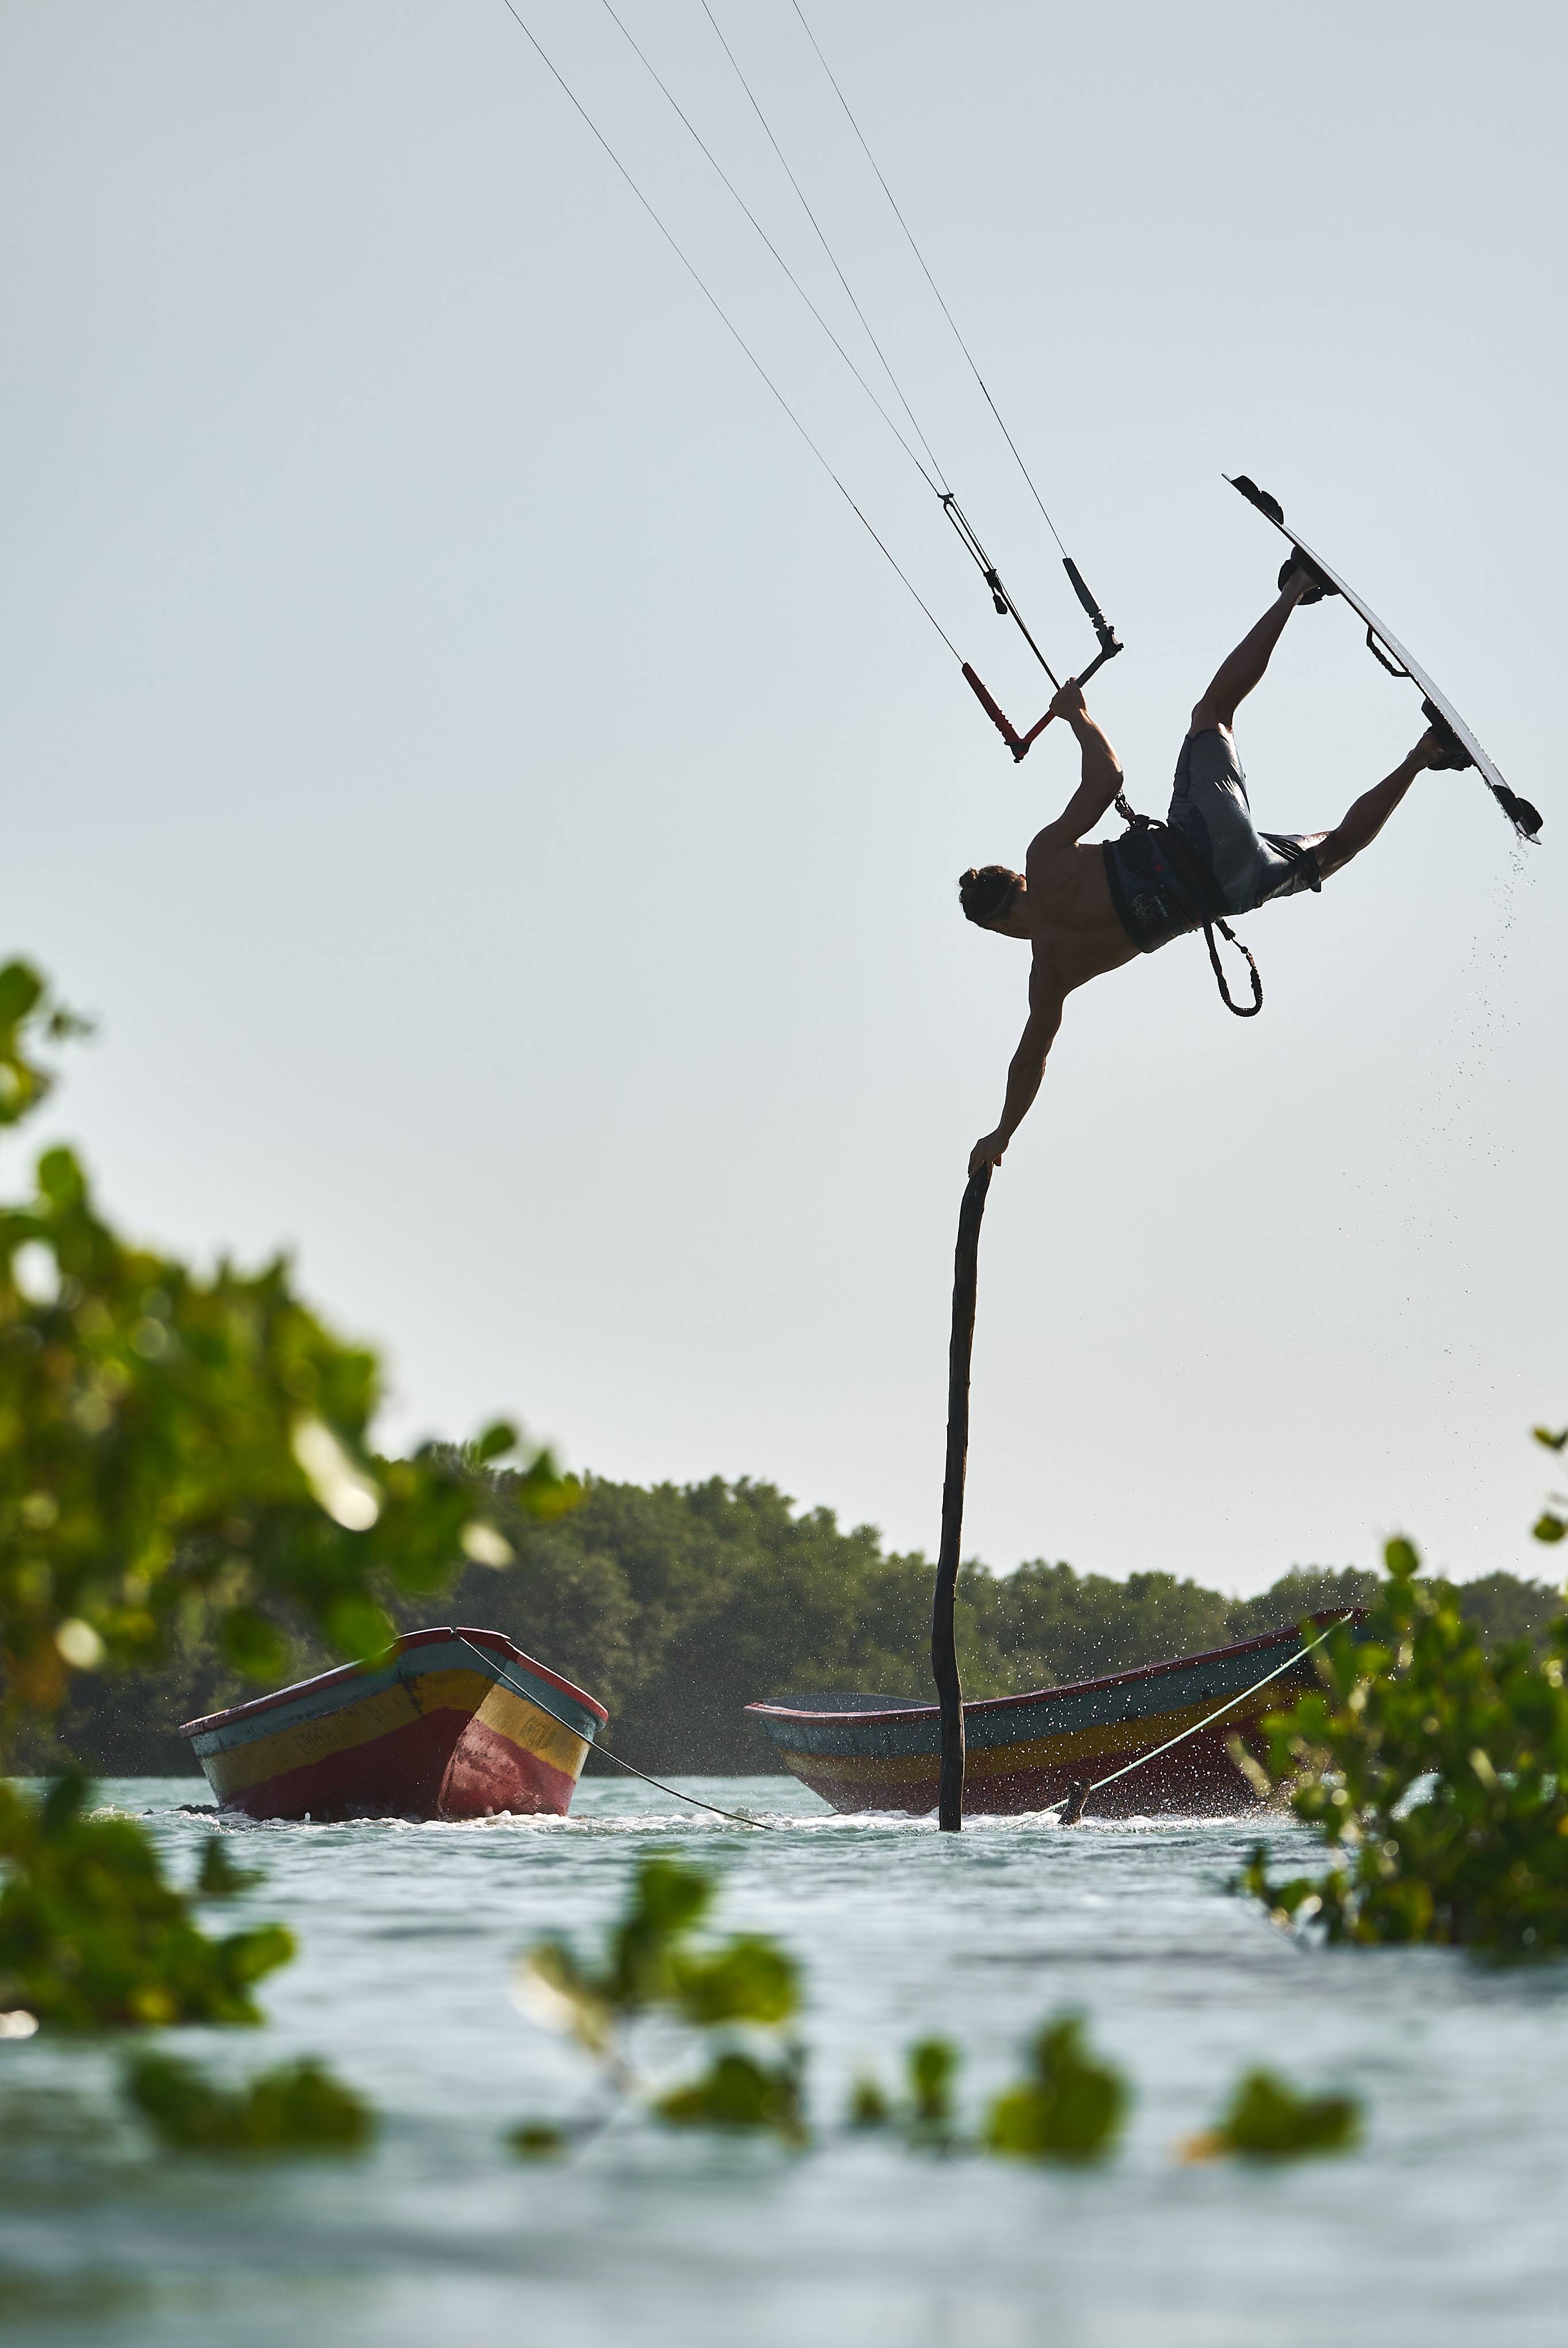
column 1449, row 2227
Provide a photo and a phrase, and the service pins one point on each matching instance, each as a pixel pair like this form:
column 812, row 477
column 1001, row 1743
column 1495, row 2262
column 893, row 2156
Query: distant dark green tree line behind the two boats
column 682, row 1605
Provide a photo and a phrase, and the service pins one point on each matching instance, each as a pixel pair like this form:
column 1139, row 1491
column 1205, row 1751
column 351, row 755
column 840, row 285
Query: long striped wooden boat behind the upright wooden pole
column 1027, row 1753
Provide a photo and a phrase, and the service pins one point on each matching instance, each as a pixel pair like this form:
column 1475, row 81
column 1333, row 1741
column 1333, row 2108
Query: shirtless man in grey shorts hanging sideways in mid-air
column 1090, row 910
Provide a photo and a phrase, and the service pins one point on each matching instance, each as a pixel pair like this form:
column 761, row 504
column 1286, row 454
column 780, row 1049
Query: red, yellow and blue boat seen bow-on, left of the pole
column 447, row 1725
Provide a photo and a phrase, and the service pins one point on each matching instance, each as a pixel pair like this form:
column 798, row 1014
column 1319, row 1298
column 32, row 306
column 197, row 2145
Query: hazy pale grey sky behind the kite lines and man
column 506, row 811
